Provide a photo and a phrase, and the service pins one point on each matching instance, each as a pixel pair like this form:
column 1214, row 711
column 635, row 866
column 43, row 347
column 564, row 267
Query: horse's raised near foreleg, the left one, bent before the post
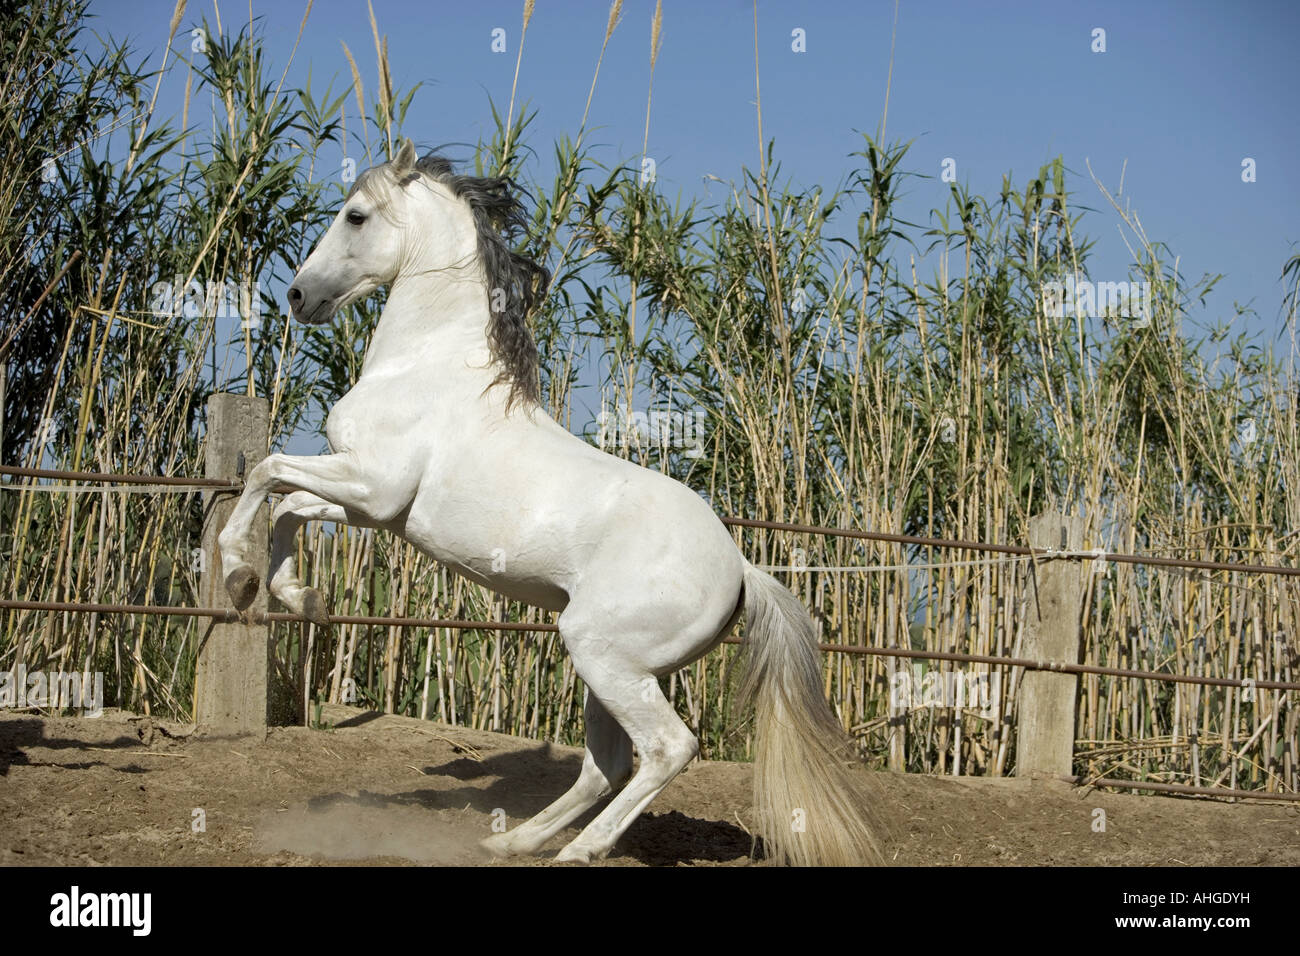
column 335, row 479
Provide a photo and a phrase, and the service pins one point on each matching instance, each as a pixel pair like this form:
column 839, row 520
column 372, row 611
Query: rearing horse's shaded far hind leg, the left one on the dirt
column 606, row 767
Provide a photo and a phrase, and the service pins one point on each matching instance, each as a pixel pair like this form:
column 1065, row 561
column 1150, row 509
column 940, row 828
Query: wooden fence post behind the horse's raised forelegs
column 232, row 690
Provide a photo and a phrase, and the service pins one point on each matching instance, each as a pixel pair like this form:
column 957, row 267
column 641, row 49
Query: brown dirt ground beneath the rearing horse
column 122, row 790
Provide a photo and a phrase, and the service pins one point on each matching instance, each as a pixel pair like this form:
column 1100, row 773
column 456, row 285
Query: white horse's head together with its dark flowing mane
column 414, row 217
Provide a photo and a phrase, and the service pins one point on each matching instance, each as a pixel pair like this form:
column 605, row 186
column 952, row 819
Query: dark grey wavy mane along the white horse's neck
column 500, row 217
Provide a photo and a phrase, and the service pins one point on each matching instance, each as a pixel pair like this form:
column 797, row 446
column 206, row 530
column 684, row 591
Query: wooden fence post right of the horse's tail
column 1045, row 742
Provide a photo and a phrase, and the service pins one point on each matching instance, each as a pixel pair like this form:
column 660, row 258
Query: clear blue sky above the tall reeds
column 1184, row 94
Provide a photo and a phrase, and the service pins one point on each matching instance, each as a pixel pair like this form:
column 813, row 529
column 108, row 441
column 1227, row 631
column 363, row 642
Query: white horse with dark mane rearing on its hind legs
column 443, row 443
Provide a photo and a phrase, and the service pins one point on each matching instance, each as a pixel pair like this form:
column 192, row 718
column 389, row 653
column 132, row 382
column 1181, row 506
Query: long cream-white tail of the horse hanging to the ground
column 812, row 804
